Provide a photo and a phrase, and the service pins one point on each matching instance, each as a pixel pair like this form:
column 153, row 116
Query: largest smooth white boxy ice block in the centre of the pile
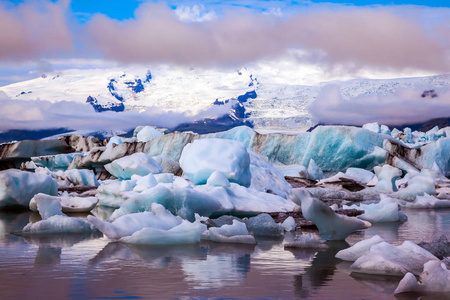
column 202, row 157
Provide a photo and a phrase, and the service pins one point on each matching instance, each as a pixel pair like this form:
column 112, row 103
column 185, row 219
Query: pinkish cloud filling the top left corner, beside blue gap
column 34, row 29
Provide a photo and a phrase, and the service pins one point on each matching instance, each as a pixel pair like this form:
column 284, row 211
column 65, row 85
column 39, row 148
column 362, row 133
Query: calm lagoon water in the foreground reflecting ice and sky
column 90, row 267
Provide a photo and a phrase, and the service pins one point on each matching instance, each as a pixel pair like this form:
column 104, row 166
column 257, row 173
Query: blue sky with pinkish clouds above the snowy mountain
column 39, row 36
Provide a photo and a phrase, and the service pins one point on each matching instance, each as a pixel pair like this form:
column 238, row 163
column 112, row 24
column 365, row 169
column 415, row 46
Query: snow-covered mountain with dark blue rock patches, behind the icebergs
column 265, row 96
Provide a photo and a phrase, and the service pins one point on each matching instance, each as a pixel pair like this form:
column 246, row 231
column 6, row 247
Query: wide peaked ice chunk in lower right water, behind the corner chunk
column 386, row 259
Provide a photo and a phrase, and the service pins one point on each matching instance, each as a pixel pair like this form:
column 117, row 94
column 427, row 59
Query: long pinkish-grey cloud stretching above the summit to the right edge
column 361, row 36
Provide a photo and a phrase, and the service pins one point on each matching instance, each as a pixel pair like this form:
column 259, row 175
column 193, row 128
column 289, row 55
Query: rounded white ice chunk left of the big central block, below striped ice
column 137, row 163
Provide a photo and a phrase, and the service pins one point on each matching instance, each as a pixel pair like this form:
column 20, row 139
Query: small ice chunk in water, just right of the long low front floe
column 235, row 233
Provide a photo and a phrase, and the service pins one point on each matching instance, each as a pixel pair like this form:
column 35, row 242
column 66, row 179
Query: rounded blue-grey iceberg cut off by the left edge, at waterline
column 18, row 187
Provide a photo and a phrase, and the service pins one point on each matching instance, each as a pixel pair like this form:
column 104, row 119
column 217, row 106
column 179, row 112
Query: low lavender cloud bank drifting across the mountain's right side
column 406, row 106
